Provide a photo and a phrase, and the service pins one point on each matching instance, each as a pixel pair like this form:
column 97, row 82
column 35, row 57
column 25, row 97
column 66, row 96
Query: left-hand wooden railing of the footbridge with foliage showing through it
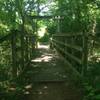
column 20, row 51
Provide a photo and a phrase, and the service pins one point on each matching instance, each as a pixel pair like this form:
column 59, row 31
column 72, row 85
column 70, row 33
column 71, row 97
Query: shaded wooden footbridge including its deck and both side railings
column 47, row 73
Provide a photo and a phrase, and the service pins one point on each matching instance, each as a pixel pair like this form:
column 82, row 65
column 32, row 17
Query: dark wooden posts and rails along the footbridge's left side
column 15, row 42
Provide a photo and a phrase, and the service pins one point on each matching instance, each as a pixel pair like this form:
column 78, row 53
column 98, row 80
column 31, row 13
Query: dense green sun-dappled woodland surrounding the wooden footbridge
column 78, row 16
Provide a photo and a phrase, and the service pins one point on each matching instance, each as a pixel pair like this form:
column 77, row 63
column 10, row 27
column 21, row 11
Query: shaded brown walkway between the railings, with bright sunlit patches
column 49, row 78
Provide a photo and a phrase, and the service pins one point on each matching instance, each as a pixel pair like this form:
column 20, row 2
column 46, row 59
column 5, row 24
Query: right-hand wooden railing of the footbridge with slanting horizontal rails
column 73, row 48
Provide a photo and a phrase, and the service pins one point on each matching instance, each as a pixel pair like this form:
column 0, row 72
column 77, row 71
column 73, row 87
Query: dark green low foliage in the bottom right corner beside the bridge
column 92, row 86
